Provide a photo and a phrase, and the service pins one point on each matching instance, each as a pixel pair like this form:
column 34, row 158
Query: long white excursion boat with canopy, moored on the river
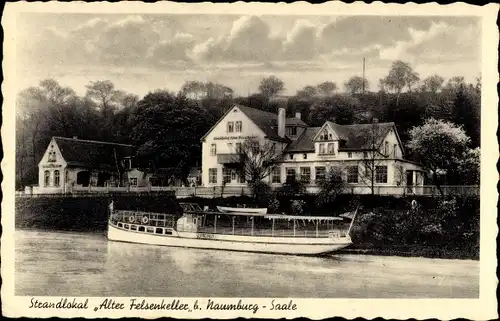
column 236, row 231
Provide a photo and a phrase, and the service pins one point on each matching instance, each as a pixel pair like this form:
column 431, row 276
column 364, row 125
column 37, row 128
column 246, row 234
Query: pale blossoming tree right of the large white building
column 438, row 145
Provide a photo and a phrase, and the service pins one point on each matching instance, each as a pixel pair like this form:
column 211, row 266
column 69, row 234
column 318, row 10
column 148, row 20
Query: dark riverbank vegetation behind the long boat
column 445, row 228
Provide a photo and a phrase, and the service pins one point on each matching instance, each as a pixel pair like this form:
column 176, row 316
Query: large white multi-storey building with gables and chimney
column 309, row 152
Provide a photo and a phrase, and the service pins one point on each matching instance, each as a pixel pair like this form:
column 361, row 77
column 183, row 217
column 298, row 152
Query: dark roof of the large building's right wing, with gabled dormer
column 356, row 137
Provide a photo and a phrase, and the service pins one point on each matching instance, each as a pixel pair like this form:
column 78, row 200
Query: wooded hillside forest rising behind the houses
column 166, row 126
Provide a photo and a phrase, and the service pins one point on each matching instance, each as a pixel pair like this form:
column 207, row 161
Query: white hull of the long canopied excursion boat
column 287, row 245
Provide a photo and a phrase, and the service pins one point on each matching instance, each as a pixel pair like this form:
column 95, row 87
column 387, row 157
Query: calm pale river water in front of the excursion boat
column 86, row 264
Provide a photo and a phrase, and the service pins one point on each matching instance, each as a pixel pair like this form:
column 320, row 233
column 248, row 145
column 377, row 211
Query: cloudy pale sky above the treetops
column 145, row 52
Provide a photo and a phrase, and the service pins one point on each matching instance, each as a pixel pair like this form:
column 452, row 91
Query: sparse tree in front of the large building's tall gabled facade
column 257, row 158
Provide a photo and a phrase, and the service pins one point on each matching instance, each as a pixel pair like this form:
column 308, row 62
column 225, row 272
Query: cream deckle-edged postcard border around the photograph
column 483, row 308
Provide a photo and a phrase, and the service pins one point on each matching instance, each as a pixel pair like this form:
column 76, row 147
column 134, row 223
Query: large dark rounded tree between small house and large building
column 166, row 130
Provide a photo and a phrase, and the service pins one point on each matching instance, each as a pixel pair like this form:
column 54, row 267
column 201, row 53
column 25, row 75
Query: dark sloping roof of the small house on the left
column 92, row 154
